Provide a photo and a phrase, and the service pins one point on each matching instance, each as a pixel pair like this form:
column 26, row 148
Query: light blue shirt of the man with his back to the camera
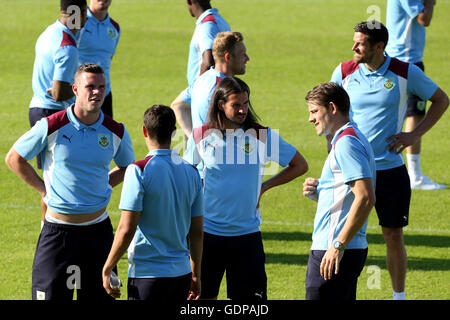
column 168, row 192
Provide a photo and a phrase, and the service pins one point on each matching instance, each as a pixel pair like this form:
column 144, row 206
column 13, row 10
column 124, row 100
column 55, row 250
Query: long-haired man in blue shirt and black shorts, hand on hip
column 234, row 149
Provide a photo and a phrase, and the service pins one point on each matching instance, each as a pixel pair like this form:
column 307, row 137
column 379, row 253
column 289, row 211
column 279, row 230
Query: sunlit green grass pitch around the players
column 293, row 45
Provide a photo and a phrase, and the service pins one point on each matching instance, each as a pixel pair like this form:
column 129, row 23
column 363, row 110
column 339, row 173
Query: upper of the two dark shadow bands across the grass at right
column 436, row 241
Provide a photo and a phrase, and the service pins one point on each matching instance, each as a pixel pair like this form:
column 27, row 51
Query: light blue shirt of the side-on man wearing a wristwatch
column 351, row 158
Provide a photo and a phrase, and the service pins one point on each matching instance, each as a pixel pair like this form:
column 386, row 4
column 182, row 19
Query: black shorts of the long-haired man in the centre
column 243, row 258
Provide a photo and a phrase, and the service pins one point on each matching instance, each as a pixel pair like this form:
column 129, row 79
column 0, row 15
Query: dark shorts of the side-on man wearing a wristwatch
column 341, row 286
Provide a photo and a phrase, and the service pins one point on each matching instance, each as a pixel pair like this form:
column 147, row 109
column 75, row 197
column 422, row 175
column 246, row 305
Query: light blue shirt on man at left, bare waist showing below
column 76, row 159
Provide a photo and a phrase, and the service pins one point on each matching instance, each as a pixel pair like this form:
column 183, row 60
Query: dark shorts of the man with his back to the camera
column 174, row 289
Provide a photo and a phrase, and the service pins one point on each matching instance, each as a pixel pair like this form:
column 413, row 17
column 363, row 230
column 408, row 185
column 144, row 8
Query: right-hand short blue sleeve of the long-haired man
column 278, row 150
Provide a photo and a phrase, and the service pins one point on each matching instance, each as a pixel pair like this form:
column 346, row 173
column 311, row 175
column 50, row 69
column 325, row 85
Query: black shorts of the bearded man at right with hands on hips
column 393, row 196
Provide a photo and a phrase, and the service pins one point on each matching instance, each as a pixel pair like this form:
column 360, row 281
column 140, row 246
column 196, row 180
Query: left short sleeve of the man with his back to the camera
column 132, row 197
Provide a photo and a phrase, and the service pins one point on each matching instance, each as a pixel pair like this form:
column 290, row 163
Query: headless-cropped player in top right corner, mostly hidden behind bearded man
column 406, row 21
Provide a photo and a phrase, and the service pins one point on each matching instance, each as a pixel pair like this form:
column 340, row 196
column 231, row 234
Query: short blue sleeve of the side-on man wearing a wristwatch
column 352, row 158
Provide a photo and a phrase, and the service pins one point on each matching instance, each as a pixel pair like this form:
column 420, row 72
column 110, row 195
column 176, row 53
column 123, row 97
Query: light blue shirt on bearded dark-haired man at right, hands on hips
column 379, row 99
